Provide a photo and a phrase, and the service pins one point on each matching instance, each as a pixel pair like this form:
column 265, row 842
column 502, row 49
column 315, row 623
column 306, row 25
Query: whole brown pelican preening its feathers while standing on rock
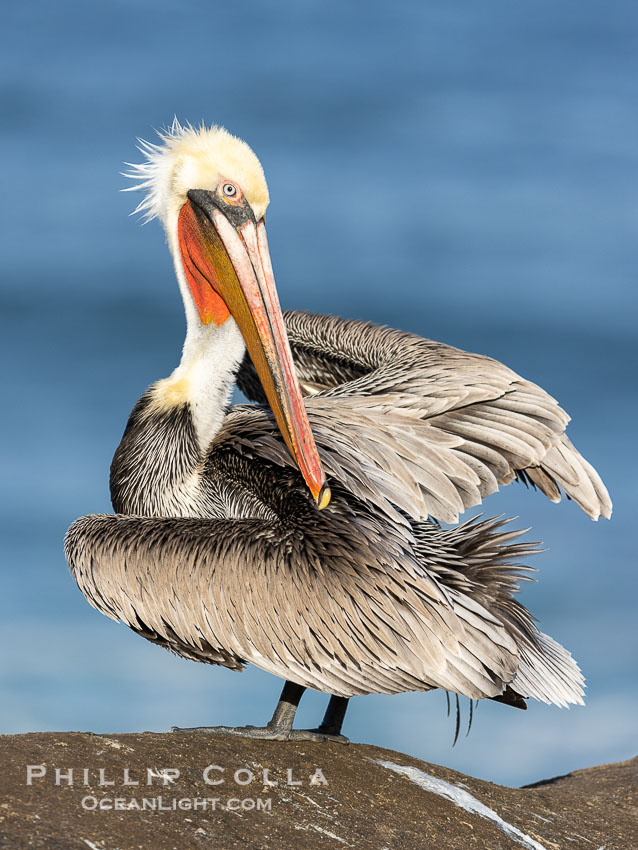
column 227, row 546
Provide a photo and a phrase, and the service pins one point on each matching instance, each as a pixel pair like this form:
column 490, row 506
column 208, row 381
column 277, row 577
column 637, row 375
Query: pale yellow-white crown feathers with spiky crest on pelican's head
column 190, row 157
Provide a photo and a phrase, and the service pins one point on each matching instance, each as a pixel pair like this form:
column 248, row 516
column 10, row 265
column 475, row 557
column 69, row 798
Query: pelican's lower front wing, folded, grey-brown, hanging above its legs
column 333, row 600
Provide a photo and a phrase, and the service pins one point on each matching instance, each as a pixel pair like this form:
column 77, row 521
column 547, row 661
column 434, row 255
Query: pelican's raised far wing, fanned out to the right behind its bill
column 424, row 427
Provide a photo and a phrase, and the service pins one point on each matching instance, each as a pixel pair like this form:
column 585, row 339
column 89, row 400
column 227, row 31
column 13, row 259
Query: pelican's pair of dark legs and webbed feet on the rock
column 279, row 728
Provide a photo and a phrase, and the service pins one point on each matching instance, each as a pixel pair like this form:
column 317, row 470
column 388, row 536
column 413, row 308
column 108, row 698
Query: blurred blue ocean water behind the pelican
column 466, row 171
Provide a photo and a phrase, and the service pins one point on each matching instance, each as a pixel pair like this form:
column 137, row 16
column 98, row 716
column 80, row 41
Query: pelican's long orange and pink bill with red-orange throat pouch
column 225, row 256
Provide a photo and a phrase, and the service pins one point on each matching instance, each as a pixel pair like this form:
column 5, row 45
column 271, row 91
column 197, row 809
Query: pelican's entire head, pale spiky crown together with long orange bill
column 209, row 191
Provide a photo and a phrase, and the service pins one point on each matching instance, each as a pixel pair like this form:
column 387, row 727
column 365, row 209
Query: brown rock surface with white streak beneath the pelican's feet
column 326, row 796
